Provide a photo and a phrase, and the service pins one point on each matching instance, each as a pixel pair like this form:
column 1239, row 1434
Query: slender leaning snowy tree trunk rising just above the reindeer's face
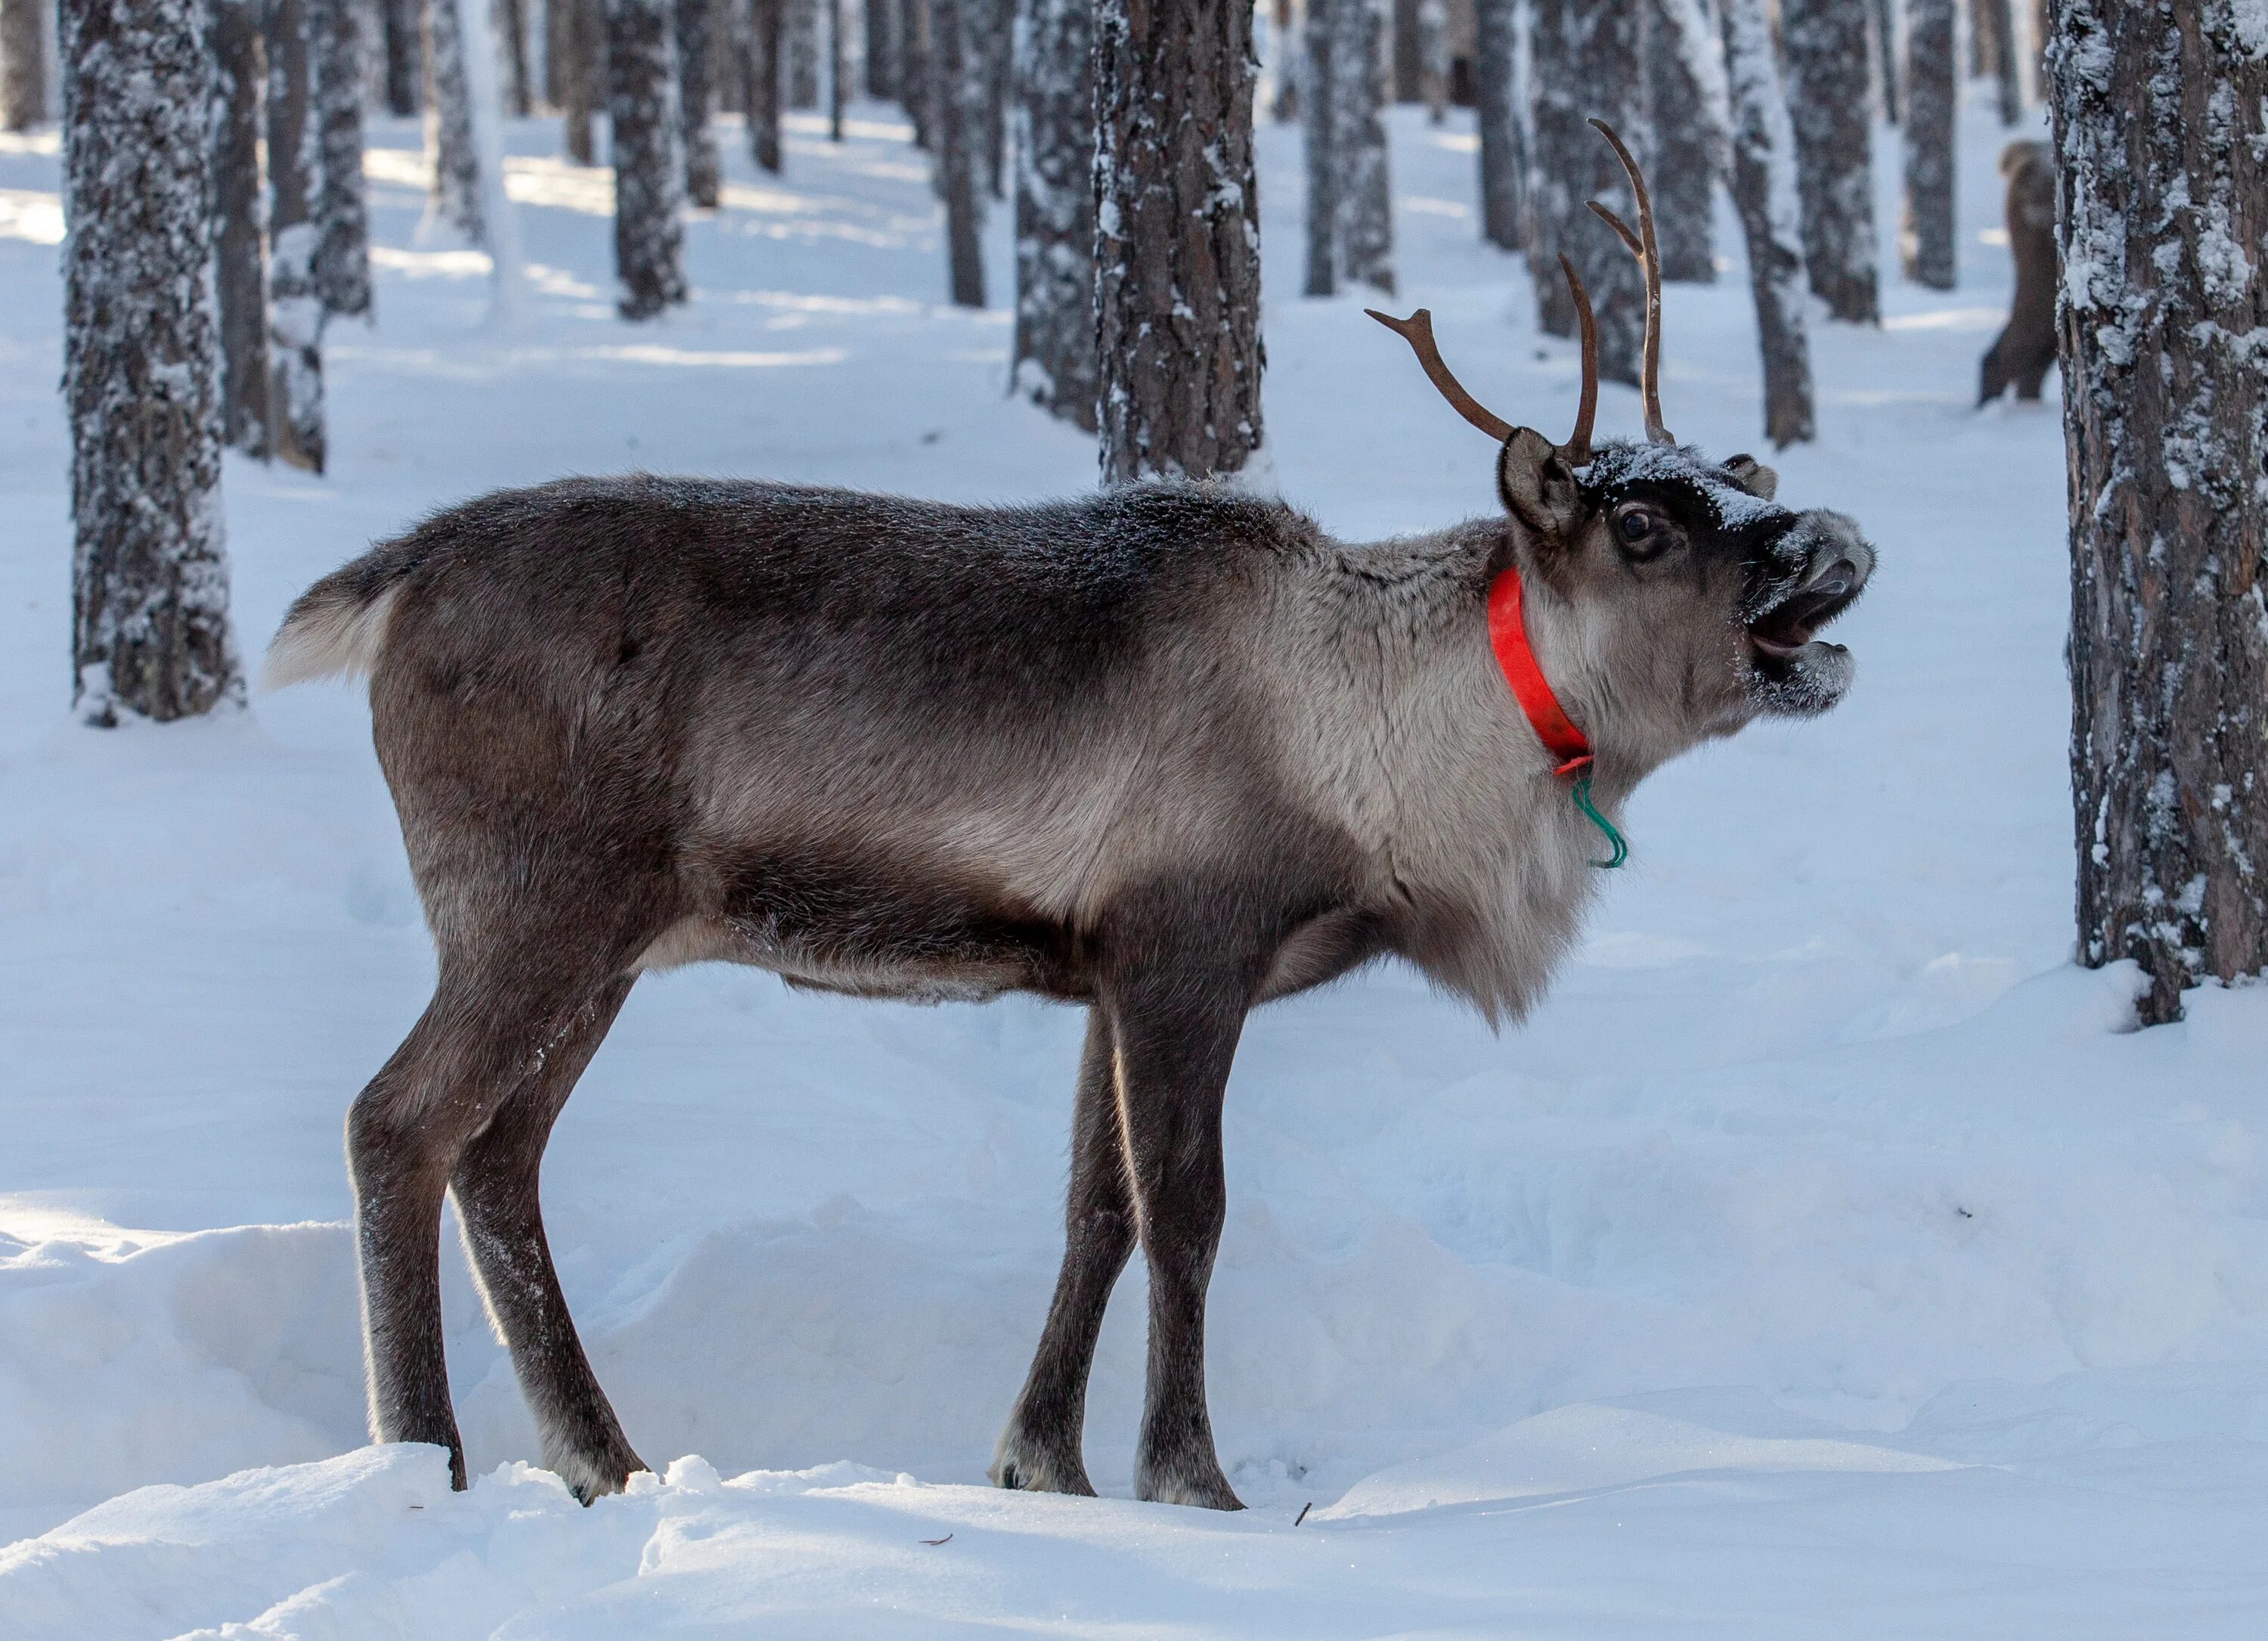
column 1770, row 219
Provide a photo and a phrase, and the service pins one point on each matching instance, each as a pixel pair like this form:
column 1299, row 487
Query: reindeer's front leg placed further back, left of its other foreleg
column 1040, row 1449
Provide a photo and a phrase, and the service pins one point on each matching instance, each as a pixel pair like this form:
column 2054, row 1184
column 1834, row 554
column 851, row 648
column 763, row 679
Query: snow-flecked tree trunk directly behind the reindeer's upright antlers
column 1589, row 65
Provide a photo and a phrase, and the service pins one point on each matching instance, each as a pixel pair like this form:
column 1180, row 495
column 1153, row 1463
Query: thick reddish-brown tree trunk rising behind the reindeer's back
column 1178, row 239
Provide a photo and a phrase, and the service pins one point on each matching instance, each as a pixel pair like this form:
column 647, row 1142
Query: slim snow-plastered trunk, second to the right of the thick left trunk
column 294, row 185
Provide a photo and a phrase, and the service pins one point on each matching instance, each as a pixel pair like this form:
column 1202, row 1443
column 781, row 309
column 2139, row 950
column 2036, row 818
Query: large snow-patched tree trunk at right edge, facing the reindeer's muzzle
column 2160, row 144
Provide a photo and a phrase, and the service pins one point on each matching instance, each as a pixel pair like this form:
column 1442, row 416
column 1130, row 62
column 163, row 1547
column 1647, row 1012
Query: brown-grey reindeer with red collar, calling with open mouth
column 1167, row 752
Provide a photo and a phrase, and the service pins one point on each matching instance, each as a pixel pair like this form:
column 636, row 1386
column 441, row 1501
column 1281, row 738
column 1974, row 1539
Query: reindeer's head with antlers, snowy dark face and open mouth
column 1691, row 596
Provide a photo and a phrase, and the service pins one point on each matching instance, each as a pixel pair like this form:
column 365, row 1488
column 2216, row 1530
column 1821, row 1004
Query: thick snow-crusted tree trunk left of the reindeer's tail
column 151, row 580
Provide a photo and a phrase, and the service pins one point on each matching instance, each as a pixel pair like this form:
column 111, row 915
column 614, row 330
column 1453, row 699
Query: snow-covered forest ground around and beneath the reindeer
column 1825, row 1259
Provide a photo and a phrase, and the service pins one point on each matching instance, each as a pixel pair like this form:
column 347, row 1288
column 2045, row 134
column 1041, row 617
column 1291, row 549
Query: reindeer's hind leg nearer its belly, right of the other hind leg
column 498, row 1202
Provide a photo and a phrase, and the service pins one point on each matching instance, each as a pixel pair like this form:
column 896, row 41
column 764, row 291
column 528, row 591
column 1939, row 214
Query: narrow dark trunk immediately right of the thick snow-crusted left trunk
column 239, row 219
